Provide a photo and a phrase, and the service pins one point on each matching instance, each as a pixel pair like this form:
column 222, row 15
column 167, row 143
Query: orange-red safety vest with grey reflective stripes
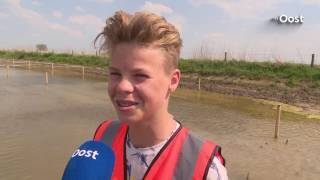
column 184, row 156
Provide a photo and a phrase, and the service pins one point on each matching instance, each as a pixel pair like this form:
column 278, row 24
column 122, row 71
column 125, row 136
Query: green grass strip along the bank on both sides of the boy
column 293, row 74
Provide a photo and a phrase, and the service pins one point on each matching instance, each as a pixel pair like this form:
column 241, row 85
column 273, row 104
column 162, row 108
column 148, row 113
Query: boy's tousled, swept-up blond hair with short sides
column 144, row 28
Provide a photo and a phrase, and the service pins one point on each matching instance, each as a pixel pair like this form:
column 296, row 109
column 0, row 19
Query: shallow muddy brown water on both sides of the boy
column 40, row 126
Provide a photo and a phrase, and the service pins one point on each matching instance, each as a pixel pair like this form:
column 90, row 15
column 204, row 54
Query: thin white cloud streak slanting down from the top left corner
column 35, row 18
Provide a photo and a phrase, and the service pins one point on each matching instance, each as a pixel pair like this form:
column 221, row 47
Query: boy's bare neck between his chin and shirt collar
column 152, row 131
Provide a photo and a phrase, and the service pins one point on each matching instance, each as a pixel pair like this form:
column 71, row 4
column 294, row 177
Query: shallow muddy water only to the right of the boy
column 246, row 137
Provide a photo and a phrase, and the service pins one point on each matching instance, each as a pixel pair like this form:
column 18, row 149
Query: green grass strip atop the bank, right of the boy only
column 294, row 73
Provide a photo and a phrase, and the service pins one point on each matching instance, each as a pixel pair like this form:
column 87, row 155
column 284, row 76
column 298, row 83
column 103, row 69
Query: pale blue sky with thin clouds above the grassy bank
column 242, row 28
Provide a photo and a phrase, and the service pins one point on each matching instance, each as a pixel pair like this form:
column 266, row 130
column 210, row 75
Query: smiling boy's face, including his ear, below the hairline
column 138, row 86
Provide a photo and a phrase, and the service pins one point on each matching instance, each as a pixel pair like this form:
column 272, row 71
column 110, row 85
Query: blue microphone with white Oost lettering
column 93, row 160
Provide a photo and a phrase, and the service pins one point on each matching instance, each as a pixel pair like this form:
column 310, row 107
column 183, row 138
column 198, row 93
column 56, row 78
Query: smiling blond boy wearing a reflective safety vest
column 148, row 142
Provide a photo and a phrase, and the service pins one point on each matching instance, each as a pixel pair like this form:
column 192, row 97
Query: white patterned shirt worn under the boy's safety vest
column 139, row 159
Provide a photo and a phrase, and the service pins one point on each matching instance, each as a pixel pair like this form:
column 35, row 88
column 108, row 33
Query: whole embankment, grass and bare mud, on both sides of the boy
column 295, row 84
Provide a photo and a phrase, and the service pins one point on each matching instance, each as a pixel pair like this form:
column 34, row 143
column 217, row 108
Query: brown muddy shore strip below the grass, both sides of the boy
column 305, row 98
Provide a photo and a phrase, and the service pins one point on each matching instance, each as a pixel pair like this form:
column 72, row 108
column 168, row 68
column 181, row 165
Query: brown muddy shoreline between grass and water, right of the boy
column 303, row 97
